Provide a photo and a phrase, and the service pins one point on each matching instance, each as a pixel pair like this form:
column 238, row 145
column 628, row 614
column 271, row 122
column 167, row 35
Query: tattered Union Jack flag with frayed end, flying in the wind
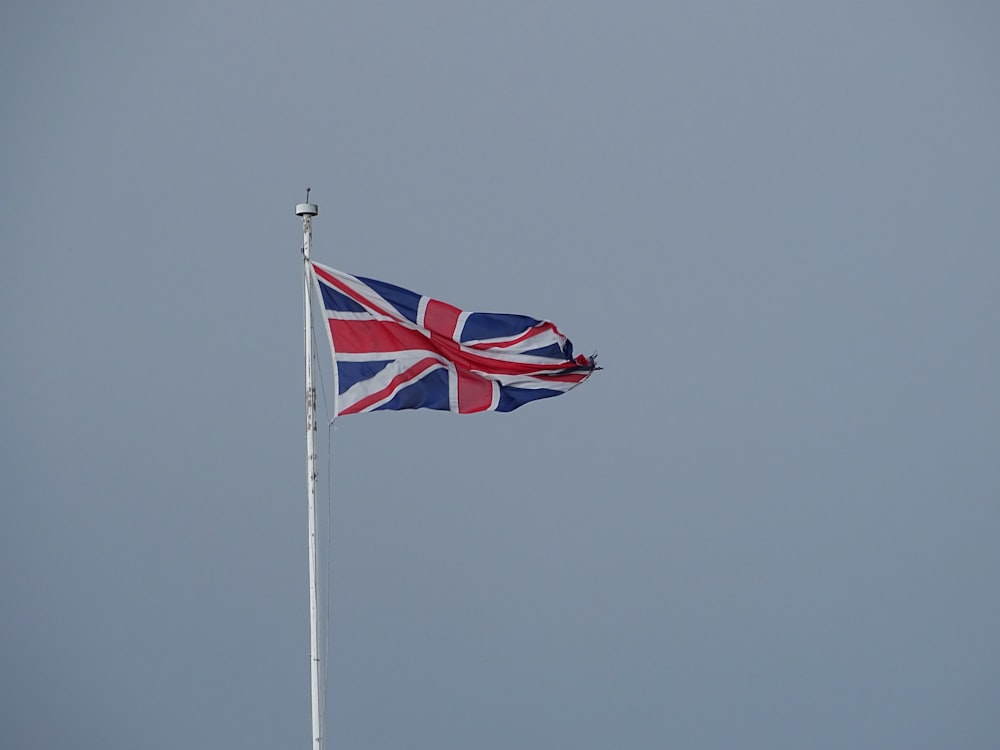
column 395, row 349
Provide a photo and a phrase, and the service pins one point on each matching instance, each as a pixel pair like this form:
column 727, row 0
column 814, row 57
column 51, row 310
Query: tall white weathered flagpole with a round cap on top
column 307, row 211
